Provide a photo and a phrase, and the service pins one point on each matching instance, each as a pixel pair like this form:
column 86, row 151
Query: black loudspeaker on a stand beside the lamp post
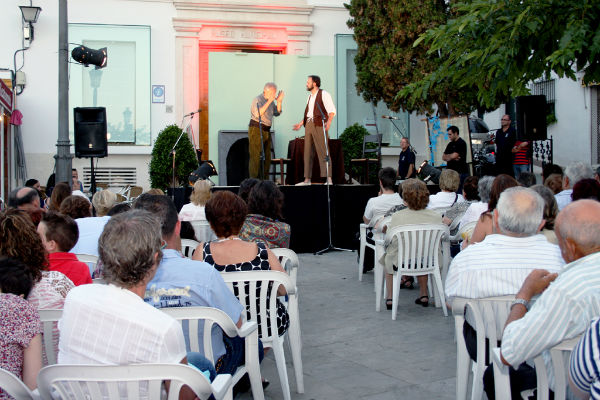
column 90, row 132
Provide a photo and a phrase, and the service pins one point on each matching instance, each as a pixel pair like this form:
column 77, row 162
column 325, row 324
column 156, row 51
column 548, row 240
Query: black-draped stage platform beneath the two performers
column 305, row 209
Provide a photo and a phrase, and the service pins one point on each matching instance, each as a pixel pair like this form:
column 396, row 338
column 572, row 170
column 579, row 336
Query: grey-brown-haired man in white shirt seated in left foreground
column 111, row 324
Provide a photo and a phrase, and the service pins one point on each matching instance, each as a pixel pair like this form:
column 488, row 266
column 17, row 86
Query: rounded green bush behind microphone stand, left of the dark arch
column 161, row 163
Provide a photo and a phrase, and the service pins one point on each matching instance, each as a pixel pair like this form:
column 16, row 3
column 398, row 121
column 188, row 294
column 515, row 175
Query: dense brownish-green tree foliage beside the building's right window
column 387, row 62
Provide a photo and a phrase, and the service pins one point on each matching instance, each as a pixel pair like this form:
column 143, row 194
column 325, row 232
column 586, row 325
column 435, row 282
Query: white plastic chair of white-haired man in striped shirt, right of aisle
column 487, row 317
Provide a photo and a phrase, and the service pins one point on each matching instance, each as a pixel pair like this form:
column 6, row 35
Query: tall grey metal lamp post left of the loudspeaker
column 63, row 145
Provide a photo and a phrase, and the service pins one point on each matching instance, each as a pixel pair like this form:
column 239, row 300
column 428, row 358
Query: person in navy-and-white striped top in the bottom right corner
column 584, row 365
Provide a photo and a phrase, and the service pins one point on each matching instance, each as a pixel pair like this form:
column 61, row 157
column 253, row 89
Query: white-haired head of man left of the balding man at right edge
column 520, row 211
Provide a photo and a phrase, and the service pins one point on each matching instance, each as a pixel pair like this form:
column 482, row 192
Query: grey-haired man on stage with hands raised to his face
column 264, row 107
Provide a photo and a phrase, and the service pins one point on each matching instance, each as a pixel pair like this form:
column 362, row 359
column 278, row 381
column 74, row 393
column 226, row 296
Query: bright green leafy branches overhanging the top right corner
column 497, row 47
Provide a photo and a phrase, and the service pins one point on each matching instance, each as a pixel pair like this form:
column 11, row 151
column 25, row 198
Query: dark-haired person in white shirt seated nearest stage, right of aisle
column 387, row 198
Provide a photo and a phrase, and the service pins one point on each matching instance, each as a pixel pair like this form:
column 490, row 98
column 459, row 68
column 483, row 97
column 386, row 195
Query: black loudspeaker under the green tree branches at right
column 531, row 117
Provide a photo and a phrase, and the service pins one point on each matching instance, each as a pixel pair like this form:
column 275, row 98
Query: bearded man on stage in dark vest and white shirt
column 318, row 116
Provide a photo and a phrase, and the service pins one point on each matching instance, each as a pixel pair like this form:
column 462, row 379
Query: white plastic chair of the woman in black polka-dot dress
column 254, row 287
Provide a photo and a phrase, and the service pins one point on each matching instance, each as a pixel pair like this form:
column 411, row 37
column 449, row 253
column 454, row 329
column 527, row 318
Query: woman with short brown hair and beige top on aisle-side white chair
column 416, row 197
